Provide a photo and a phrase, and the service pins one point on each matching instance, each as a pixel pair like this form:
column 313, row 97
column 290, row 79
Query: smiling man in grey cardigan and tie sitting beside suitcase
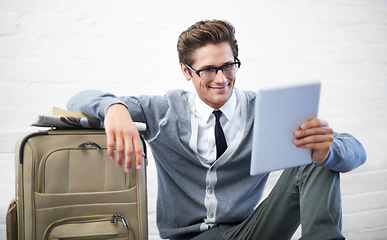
column 204, row 193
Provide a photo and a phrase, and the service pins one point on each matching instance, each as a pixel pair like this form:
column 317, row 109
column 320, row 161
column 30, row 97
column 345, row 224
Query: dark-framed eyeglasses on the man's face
column 209, row 73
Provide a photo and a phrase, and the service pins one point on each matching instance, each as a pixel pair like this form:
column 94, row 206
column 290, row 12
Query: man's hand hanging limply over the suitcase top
column 121, row 131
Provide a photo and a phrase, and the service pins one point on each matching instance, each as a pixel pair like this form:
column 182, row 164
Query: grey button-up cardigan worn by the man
column 192, row 194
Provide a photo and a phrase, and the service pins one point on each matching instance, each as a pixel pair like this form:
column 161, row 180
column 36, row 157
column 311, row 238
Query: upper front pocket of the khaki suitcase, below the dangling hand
column 79, row 170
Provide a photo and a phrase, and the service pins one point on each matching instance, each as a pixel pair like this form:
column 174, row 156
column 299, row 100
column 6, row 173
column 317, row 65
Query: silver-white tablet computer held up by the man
column 279, row 111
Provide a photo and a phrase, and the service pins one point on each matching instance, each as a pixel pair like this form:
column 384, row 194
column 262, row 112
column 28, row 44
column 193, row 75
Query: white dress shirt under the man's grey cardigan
column 230, row 122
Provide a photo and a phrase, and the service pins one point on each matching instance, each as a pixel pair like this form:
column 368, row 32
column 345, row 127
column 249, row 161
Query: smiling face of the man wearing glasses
column 217, row 91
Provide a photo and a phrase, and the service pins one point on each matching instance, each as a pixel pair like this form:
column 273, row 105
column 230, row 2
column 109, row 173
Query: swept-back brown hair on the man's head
column 203, row 33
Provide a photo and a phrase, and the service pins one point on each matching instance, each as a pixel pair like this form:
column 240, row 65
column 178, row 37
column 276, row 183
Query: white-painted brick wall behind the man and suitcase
column 51, row 49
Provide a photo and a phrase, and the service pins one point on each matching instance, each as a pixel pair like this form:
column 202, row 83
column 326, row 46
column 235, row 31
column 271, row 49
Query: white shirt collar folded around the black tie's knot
column 204, row 111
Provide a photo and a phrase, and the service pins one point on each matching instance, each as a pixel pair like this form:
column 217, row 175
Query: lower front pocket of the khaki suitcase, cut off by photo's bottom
column 90, row 227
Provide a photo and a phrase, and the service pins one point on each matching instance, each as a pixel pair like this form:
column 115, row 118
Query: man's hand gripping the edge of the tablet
column 316, row 135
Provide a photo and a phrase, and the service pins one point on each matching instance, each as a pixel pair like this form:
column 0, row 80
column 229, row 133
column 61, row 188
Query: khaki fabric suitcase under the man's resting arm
column 68, row 188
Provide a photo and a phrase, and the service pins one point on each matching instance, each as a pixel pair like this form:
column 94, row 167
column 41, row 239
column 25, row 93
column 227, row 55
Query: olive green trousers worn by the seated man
column 308, row 195
